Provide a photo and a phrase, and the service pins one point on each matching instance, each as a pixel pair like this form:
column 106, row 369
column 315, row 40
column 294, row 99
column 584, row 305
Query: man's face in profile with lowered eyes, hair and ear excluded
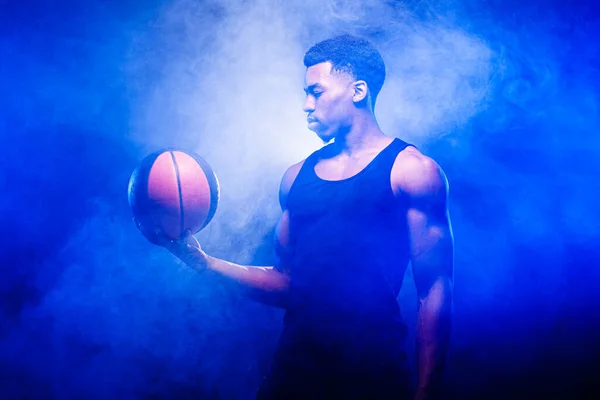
column 329, row 103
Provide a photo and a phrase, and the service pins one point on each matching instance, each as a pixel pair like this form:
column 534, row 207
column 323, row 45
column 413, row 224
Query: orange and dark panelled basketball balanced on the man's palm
column 173, row 192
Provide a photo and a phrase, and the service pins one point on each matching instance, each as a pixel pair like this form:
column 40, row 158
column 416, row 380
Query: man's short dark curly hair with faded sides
column 353, row 55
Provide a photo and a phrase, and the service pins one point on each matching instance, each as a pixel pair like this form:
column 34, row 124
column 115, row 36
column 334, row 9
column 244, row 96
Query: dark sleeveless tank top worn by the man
column 349, row 249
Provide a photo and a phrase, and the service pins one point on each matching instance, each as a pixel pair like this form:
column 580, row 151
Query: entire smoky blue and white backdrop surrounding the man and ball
column 504, row 95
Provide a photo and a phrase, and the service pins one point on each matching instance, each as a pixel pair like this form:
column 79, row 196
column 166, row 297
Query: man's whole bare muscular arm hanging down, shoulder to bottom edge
column 432, row 258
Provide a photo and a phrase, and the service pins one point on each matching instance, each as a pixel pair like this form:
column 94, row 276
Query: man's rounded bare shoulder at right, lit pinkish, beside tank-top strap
column 414, row 173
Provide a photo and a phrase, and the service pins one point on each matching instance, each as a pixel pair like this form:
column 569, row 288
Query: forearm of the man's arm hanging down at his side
column 433, row 336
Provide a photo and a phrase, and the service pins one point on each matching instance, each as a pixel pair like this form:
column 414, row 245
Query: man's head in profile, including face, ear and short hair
column 344, row 76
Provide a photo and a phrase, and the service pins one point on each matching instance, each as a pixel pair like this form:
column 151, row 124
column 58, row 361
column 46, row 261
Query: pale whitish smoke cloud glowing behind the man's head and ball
column 230, row 88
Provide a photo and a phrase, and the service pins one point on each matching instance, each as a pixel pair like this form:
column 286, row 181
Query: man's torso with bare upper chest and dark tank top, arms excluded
column 349, row 252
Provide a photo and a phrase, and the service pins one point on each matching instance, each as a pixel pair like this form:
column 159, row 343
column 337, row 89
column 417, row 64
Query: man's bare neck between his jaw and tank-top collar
column 364, row 134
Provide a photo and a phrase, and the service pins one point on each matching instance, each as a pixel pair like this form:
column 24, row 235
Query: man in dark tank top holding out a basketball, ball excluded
column 354, row 214
